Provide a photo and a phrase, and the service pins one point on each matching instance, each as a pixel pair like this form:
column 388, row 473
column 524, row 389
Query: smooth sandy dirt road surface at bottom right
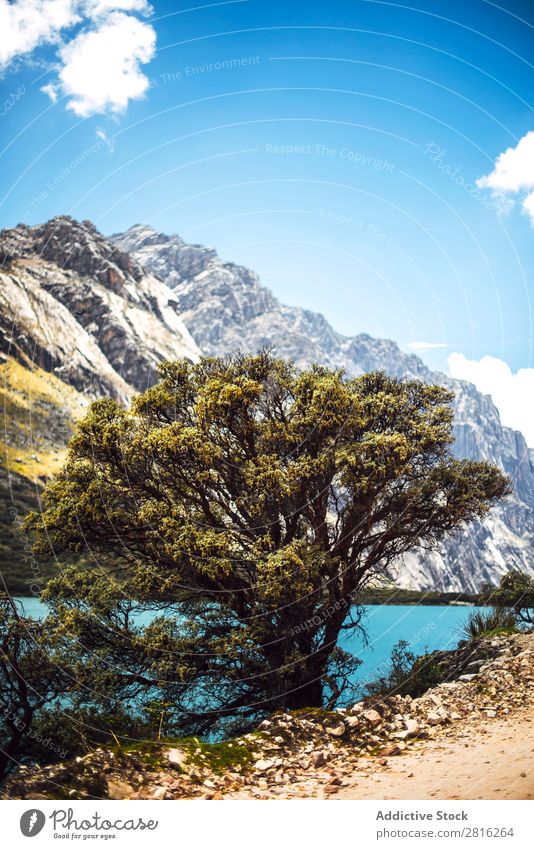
column 492, row 761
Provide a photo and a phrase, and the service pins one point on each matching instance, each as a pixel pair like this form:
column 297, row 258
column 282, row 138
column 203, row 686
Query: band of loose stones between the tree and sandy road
column 298, row 754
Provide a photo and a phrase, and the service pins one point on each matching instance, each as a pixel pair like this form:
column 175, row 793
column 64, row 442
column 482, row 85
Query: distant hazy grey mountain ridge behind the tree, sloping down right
column 225, row 308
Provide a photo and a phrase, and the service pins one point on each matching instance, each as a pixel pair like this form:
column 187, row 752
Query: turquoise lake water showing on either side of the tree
column 424, row 627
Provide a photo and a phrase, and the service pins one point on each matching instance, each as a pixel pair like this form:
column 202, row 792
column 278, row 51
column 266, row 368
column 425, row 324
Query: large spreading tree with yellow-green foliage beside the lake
column 249, row 503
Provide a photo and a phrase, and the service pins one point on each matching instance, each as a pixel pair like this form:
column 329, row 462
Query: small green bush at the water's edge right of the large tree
column 407, row 675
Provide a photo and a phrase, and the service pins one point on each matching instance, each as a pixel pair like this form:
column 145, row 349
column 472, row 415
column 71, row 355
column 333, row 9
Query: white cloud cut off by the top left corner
column 26, row 24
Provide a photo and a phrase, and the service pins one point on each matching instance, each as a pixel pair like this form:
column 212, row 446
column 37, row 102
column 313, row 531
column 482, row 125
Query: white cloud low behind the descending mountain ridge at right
column 513, row 394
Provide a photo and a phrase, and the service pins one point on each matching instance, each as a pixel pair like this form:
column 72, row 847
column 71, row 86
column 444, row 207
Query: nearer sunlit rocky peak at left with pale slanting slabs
column 74, row 304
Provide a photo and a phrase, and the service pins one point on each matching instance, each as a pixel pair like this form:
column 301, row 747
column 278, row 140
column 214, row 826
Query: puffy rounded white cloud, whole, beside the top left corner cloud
column 101, row 68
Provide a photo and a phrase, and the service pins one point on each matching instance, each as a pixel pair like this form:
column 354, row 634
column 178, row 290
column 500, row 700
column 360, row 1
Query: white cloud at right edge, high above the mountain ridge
column 514, row 173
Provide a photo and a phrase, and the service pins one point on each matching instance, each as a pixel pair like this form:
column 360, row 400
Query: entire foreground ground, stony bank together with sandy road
column 322, row 754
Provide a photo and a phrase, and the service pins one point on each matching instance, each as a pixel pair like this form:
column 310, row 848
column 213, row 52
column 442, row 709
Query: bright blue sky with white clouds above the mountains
column 332, row 147
